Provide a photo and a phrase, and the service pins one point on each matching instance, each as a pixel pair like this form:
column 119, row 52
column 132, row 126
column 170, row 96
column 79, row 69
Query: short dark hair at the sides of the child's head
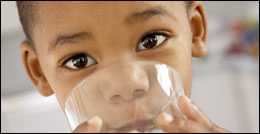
column 27, row 11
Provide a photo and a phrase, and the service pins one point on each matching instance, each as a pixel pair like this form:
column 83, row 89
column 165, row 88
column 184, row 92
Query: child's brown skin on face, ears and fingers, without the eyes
column 113, row 37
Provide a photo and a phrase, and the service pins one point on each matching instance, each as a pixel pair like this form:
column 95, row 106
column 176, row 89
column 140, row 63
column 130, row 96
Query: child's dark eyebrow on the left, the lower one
column 63, row 38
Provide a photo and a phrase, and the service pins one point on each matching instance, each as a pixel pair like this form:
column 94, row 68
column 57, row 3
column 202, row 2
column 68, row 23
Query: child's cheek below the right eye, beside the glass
column 177, row 54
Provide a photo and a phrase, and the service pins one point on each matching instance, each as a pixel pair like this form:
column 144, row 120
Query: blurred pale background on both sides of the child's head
column 225, row 83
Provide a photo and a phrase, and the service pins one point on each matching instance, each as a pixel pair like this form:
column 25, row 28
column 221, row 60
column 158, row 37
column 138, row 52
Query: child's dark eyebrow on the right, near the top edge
column 147, row 14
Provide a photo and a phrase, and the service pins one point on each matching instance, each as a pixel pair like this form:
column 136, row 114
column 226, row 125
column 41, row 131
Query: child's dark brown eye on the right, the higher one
column 151, row 40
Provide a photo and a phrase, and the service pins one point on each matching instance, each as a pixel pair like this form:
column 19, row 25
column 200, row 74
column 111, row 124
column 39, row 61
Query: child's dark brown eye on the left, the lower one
column 79, row 61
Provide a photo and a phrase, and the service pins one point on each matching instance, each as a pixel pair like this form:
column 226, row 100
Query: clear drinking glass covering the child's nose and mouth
column 137, row 92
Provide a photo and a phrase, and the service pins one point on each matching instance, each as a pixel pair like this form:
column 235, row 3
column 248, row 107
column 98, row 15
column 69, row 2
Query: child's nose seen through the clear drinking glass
column 124, row 83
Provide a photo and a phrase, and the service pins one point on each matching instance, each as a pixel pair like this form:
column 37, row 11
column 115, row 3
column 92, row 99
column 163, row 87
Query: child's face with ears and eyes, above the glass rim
column 73, row 40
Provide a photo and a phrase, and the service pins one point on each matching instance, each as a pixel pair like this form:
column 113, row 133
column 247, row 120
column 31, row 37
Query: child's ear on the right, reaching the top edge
column 198, row 23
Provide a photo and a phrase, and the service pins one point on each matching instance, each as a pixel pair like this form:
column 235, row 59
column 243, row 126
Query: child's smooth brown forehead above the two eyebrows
column 60, row 17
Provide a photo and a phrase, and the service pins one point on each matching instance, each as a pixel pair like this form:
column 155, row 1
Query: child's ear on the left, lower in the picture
column 33, row 69
